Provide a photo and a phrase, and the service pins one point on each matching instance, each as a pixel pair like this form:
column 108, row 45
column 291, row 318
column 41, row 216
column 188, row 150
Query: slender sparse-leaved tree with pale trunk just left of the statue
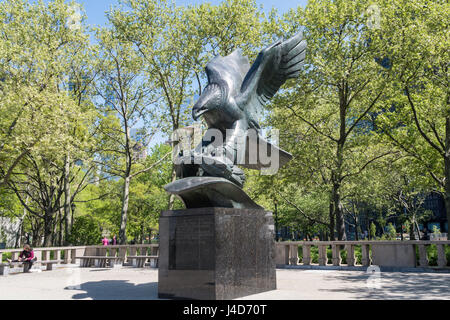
column 127, row 104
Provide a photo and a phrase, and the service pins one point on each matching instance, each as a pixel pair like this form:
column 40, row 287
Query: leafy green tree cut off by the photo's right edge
column 417, row 120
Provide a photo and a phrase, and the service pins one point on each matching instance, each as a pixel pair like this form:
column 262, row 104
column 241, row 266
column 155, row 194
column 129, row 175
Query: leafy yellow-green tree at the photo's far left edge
column 41, row 120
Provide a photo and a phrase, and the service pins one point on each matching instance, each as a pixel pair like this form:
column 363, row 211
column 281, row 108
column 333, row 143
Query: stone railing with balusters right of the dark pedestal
column 379, row 253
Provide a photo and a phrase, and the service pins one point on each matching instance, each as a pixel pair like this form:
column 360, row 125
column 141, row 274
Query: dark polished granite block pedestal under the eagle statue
column 216, row 253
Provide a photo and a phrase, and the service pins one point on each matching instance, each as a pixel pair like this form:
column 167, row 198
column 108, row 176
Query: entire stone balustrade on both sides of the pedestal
column 409, row 254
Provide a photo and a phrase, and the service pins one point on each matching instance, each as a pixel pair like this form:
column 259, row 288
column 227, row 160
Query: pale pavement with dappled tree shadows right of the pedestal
column 356, row 285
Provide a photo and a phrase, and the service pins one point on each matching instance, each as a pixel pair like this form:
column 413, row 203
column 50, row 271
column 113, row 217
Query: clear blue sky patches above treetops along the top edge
column 95, row 9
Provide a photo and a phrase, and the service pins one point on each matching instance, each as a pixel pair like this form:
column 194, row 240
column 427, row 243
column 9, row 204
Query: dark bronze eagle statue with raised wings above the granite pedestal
column 233, row 102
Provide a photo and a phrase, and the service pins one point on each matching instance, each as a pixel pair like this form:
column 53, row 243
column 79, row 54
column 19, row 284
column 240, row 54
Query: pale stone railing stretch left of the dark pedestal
column 68, row 255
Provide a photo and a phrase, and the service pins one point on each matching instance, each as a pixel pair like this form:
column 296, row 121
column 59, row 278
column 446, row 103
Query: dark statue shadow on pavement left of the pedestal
column 116, row 290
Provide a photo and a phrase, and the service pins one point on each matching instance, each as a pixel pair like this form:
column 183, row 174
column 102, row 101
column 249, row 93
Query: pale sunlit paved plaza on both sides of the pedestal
column 141, row 284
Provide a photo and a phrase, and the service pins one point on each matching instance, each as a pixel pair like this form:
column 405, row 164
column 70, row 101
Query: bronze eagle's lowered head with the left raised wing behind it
column 225, row 76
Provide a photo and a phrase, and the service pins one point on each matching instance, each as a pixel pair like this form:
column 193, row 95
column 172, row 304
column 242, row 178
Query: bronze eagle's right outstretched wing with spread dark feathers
column 273, row 66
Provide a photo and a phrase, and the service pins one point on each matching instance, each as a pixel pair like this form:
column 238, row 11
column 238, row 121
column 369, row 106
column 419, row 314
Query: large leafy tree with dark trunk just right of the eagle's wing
column 333, row 103
